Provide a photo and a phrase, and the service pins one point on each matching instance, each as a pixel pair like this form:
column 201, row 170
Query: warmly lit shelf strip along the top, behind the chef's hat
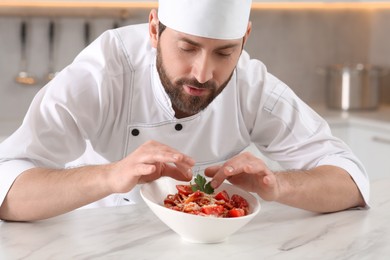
column 126, row 8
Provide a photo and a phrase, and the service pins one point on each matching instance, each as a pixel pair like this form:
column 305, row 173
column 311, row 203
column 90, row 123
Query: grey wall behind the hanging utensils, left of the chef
column 69, row 41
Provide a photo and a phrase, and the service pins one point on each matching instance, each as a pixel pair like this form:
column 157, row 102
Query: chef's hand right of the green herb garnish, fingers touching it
column 249, row 173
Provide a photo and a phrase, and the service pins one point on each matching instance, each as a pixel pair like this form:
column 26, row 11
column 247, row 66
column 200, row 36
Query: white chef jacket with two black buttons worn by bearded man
column 110, row 100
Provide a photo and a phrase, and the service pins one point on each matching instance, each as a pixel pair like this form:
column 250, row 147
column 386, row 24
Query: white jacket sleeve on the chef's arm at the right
column 288, row 131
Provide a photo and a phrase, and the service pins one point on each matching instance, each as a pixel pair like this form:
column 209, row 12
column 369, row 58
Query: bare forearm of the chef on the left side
column 42, row 193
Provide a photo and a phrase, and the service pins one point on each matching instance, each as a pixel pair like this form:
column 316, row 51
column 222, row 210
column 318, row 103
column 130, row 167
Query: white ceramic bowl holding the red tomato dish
column 193, row 228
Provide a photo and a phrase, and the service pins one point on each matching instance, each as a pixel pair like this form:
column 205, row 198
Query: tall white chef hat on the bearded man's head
column 217, row 19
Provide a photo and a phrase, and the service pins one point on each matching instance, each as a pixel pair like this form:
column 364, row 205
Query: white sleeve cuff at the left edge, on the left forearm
column 9, row 171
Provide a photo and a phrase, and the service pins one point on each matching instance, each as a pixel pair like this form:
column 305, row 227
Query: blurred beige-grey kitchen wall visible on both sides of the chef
column 292, row 43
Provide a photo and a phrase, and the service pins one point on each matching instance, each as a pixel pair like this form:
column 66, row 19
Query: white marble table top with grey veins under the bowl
column 134, row 232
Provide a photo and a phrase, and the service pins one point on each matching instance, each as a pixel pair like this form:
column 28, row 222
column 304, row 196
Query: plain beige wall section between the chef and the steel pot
column 295, row 44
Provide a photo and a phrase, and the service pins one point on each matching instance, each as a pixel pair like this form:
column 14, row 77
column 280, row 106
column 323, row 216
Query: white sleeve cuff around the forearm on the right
column 357, row 173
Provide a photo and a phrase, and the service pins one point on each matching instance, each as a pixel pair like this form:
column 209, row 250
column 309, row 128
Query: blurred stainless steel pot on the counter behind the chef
column 351, row 87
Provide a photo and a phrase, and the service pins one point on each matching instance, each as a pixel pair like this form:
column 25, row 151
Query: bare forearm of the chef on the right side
column 323, row 189
